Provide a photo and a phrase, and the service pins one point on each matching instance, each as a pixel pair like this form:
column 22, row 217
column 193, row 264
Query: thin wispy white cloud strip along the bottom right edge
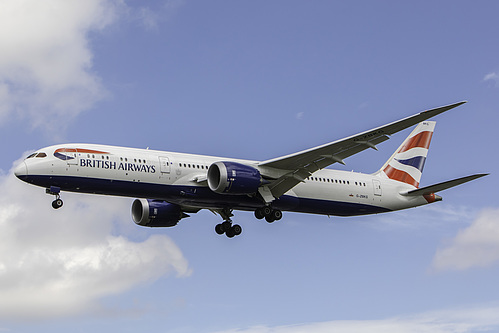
column 451, row 321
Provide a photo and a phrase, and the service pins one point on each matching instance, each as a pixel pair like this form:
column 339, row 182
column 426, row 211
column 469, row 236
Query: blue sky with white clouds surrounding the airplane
column 252, row 80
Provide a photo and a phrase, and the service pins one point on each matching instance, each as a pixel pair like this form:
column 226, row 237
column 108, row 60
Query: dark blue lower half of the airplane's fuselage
column 198, row 196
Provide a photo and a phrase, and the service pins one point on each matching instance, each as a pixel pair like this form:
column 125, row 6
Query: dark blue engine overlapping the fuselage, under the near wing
column 233, row 178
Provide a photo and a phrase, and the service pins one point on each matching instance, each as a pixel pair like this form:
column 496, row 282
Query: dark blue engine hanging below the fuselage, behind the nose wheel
column 156, row 213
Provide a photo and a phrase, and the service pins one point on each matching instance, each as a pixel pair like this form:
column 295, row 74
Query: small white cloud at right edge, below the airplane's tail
column 475, row 246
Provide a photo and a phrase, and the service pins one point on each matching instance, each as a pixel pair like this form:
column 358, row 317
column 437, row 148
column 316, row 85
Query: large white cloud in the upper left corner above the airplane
column 46, row 63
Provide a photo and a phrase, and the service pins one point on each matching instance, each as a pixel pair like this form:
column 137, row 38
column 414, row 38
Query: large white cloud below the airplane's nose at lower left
column 59, row 263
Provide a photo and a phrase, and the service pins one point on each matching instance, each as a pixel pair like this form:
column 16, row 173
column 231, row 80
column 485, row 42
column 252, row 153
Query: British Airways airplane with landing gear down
column 171, row 185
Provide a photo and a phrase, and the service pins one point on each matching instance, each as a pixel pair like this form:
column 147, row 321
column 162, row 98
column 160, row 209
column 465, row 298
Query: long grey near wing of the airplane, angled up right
column 302, row 164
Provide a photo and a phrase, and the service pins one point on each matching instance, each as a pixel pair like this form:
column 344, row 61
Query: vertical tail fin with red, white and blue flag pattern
column 406, row 164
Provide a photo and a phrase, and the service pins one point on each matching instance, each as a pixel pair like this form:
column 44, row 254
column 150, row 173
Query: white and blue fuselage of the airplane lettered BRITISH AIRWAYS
column 181, row 179
